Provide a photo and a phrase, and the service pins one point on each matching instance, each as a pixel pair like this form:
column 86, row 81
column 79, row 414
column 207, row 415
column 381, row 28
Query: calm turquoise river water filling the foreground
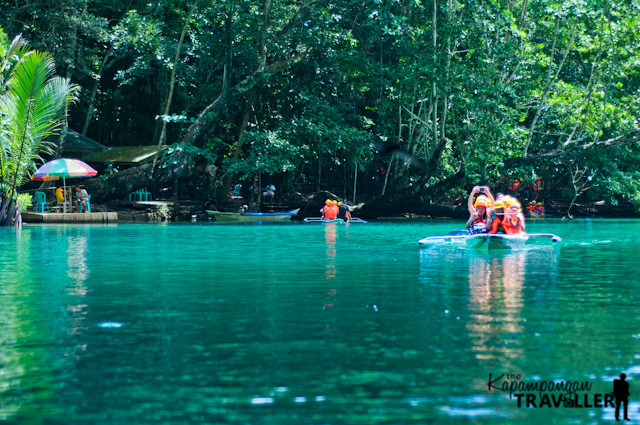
column 309, row 324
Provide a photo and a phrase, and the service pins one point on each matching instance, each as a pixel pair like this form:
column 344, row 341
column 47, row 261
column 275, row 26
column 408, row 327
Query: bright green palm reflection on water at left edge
column 26, row 382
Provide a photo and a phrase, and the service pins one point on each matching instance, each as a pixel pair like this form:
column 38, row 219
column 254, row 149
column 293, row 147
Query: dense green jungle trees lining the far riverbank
column 481, row 90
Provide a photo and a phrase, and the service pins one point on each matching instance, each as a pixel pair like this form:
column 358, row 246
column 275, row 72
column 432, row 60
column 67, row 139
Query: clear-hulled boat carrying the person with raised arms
column 491, row 241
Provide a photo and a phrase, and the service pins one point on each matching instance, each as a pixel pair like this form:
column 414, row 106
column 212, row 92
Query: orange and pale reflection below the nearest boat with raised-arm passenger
column 496, row 282
